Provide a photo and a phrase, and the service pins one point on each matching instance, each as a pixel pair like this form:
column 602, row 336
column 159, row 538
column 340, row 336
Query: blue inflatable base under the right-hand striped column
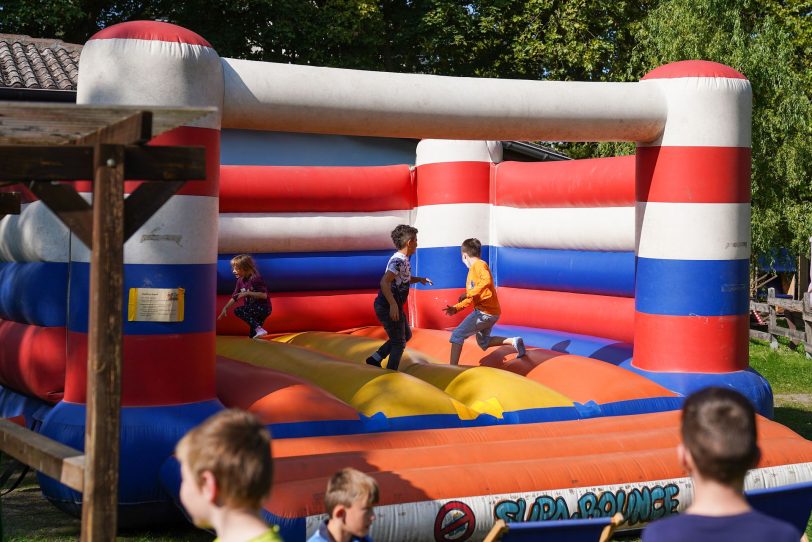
column 749, row 383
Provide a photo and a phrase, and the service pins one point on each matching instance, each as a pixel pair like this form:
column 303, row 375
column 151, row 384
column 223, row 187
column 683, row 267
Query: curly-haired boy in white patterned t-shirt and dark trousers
column 394, row 289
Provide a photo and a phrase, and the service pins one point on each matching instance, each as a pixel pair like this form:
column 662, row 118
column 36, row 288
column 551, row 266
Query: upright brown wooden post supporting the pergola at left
column 105, row 350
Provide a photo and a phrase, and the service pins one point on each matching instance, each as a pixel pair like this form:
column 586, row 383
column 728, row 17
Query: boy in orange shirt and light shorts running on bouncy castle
column 481, row 291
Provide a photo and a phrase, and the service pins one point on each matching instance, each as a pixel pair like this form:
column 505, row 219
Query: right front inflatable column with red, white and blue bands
column 693, row 223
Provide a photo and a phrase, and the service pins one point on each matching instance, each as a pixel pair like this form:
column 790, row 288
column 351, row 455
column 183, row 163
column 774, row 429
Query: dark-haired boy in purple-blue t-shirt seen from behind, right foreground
column 718, row 448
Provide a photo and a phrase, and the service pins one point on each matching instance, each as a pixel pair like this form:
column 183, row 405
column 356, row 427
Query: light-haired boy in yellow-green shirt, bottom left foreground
column 226, row 474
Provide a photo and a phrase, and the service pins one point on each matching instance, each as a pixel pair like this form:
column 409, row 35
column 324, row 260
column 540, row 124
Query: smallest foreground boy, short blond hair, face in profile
column 350, row 496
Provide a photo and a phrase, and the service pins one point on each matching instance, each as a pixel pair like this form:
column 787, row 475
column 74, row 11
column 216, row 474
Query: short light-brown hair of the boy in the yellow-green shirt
column 236, row 448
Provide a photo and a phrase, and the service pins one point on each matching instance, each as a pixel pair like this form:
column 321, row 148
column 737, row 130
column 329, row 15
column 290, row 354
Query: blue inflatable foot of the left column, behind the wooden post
column 148, row 438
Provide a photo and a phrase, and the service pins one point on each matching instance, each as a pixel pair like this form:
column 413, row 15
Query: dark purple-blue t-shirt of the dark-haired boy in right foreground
column 751, row 526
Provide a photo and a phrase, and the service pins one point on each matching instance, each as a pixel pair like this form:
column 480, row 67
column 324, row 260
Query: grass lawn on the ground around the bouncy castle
column 28, row 517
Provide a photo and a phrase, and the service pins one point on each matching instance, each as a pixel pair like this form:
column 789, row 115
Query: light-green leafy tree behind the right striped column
column 749, row 36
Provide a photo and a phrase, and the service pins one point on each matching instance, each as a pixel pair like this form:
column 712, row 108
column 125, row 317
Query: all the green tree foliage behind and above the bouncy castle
column 770, row 41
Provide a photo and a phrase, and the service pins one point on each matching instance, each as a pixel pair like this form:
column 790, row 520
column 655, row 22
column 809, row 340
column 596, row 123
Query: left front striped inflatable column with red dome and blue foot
column 168, row 373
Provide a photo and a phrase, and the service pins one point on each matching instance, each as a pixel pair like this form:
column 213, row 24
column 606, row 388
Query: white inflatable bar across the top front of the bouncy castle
column 285, row 97
